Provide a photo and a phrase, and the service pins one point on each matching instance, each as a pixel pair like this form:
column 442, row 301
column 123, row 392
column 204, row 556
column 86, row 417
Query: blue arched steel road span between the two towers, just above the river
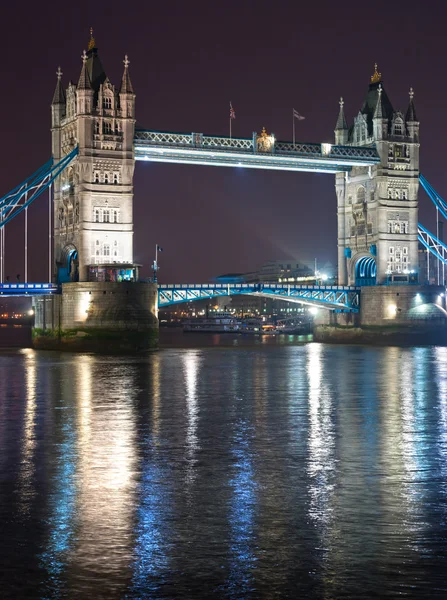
column 342, row 298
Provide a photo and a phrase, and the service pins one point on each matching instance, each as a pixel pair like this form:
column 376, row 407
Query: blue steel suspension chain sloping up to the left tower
column 24, row 194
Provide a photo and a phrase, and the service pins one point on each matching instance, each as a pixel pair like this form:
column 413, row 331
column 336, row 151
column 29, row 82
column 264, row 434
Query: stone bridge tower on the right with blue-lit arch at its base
column 378, row 206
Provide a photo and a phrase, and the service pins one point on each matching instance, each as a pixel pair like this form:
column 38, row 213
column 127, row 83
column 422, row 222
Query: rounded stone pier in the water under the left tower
column 98, row 317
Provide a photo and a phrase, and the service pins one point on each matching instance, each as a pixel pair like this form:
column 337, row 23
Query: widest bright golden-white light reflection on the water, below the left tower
column 105, row 394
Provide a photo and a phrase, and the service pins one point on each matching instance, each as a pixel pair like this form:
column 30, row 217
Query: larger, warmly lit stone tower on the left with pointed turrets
column 93, row 222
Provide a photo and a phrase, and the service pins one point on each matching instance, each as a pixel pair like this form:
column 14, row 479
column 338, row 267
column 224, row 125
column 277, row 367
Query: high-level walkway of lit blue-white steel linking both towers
column 257, row 153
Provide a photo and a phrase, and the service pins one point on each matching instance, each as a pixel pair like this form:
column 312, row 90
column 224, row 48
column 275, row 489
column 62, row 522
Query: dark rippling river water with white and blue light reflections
column 267, row 470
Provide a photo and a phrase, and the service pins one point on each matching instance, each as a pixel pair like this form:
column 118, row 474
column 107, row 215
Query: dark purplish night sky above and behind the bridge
column 188, row 60
